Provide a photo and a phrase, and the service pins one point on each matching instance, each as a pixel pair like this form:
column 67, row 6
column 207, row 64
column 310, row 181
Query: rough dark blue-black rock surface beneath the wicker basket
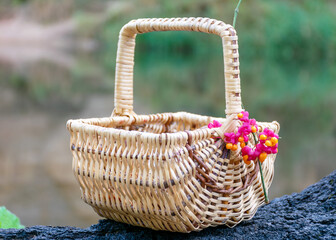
column 310, row 214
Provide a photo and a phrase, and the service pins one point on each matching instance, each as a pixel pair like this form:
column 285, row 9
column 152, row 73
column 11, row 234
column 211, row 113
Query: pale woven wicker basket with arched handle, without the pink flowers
column 167, row 171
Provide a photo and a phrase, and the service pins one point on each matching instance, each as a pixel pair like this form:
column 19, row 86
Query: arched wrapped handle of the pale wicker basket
column 123, row 95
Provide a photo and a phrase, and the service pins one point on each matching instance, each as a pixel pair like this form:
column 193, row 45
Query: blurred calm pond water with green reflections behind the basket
column 38, row 96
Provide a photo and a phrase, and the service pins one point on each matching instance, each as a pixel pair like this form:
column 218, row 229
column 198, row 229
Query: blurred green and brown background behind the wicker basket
column 57, row 61
